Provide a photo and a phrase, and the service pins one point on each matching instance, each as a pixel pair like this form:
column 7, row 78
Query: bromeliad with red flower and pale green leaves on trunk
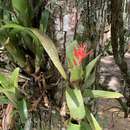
column 82, row 77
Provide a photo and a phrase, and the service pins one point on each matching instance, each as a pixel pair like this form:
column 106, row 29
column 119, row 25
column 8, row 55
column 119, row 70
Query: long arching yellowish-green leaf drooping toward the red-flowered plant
column 46, row 42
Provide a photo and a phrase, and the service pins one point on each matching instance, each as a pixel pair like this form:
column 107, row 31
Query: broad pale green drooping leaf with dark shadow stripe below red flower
column 75, row 103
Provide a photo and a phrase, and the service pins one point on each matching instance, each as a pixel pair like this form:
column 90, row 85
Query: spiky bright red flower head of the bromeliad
column 80, row 53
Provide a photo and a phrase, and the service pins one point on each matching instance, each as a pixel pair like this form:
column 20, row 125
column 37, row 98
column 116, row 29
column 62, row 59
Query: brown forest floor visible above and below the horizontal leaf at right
column 111, row 117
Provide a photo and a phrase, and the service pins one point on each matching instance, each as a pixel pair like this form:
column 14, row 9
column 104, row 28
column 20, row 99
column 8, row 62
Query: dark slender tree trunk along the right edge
column 118, row 43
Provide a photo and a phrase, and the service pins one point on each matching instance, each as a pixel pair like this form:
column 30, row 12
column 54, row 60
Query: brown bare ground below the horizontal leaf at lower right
column 111, row 117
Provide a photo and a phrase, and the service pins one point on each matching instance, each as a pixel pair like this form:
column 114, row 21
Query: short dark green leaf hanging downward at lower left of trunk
column 23, row 111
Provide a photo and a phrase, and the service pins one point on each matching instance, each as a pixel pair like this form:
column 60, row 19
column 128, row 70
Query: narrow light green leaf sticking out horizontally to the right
column 101, row 94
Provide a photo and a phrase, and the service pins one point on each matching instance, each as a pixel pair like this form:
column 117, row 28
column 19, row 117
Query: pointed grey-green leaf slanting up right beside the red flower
column 90, row 67
